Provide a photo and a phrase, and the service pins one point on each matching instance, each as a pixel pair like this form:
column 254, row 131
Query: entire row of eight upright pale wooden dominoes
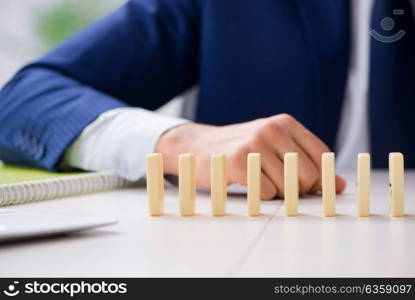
column 187, row 184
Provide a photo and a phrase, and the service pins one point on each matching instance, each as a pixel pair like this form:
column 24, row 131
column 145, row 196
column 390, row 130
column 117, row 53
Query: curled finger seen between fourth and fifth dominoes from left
column 273, row 167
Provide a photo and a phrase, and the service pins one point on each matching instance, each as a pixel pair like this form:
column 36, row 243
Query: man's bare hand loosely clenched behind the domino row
column 272, row 137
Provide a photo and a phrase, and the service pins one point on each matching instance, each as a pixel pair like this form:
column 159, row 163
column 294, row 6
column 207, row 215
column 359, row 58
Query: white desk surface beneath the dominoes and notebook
column 234, row 245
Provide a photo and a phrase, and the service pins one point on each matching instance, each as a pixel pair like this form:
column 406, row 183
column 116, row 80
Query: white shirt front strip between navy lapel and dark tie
column 353, row 134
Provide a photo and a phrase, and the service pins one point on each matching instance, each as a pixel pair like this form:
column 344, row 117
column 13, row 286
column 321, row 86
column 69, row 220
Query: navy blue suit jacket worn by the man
column 250, row 58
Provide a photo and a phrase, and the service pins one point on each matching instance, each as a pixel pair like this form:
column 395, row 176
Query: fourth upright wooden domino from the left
column 254, row 183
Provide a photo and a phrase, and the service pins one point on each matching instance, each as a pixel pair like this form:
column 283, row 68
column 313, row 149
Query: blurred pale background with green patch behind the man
column 29, row 28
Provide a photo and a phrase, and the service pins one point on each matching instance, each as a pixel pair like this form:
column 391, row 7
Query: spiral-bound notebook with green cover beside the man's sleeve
column 21, row 184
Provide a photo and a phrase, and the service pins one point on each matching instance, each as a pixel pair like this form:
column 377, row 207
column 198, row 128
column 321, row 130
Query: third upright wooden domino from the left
column 218, row 190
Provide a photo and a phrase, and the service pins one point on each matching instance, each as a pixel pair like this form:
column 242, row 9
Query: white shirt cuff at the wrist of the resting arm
column 118, row 141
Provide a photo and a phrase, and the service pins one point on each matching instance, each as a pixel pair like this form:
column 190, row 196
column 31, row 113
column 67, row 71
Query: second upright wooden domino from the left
column 187, row 184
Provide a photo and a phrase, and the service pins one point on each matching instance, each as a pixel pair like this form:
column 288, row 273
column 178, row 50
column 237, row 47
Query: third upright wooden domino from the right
column 328, row 175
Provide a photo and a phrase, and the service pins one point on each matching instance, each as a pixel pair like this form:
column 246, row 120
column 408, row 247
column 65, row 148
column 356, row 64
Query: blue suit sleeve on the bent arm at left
column 143, row 54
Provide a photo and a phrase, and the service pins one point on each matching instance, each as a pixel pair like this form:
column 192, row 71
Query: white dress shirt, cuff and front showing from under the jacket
column 119, row 139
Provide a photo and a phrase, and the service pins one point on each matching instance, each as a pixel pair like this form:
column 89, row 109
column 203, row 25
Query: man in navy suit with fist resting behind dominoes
column 274, row 76
